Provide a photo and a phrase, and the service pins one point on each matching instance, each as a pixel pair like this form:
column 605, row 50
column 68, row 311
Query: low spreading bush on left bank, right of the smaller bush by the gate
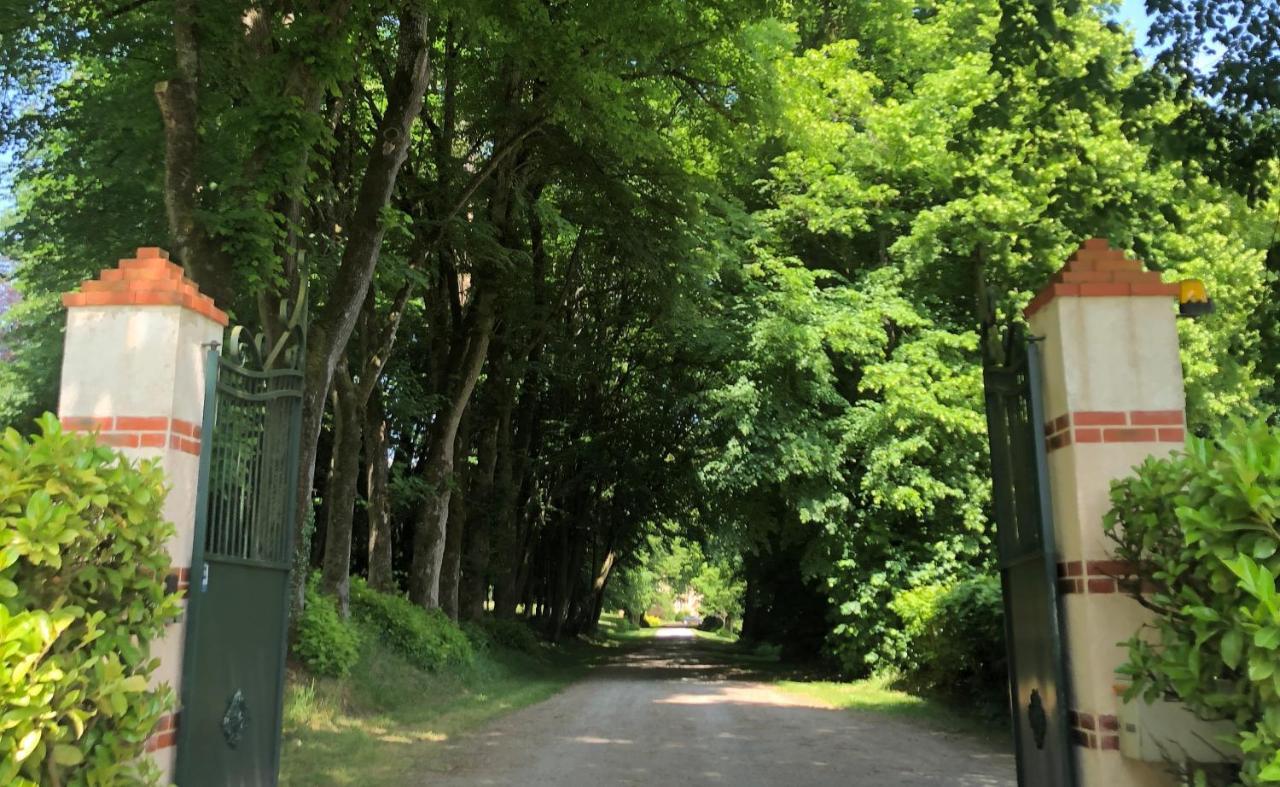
column 428, row 639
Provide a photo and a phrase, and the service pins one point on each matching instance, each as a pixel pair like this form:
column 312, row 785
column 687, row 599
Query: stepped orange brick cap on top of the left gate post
column 148, row 280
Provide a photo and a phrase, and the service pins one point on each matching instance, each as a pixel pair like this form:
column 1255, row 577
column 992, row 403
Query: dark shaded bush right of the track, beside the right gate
column 957, row 647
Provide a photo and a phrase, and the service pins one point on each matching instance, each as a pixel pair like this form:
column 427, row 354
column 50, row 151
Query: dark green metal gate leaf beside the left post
column 234, row 665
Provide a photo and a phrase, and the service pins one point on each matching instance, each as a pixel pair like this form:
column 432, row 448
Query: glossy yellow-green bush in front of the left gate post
column 83, row 568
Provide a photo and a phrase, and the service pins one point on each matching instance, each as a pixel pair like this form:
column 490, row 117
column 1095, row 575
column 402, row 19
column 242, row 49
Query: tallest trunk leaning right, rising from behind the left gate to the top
column 332, row 330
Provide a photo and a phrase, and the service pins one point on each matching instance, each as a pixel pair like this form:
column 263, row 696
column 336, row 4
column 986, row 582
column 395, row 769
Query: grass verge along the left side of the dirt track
column 390, row 721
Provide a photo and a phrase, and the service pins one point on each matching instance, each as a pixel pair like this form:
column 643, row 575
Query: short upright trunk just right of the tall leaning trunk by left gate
column 336, row 574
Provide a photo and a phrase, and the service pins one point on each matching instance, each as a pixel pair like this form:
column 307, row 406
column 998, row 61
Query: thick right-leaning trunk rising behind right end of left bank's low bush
column 429, row 534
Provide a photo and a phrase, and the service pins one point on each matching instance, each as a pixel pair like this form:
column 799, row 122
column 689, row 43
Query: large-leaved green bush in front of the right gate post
column 1201, row 530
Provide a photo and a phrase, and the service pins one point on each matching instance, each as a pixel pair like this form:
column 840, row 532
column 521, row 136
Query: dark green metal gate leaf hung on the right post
column 1028, row 570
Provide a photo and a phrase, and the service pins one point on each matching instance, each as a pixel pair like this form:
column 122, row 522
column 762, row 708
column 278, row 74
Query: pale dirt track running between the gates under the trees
column 674, row 715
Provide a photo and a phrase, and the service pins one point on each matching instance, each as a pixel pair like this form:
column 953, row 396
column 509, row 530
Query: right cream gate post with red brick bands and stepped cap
column 1114, row 396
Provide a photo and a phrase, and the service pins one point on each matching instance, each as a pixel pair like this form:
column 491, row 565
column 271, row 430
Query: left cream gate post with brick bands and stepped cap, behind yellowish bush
column 134, row 370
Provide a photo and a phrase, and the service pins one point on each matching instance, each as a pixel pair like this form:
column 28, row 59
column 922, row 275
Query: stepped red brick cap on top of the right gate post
column 1099, row 271
